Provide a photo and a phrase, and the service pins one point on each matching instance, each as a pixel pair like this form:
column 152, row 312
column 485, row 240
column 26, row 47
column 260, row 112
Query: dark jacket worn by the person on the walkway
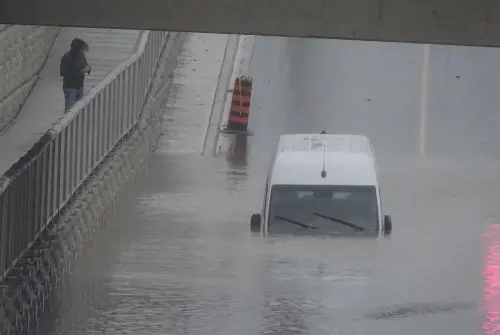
column 72, row 64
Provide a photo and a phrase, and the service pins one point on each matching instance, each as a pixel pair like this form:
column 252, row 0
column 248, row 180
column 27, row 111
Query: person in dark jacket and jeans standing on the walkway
column 73, row 68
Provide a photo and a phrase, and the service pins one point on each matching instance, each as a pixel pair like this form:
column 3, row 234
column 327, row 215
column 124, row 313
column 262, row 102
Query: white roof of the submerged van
column 349, row 160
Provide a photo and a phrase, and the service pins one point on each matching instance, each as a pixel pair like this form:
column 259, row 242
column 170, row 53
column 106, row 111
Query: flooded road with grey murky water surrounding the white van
column 177, row 256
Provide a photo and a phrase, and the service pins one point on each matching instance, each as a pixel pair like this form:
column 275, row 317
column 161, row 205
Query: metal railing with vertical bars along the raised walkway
column 40, row 184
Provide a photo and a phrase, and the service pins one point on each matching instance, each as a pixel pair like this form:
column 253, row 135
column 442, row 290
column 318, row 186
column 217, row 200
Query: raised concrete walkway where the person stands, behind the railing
column 108, row 48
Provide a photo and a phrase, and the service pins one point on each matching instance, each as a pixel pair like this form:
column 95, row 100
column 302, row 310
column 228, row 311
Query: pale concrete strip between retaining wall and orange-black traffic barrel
column 192, row 93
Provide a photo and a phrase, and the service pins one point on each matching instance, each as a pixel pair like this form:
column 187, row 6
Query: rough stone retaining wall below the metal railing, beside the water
column 40, row 276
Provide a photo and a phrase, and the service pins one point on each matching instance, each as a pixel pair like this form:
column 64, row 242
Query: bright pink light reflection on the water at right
column 491, row 274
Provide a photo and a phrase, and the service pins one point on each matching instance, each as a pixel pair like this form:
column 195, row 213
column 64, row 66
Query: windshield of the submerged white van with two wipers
column 340, row 209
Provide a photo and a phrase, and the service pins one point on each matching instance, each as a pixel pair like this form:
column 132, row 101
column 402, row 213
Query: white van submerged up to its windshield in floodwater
column 323, row 183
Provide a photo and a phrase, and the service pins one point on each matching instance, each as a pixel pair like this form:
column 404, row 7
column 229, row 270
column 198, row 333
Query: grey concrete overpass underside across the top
column 462, row 22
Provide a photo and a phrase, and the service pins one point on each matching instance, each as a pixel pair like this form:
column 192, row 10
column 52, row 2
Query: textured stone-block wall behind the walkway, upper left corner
column 23, row 52
